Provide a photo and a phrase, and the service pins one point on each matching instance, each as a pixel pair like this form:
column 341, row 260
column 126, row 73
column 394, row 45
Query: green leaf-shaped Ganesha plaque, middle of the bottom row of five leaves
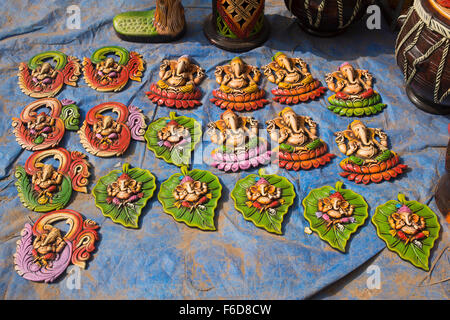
column 264, row 199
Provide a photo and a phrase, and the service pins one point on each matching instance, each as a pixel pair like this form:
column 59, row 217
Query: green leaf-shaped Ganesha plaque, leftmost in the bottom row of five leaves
column 122, row 194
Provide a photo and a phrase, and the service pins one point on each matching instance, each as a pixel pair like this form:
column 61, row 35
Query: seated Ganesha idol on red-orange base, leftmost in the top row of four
column 178, row 83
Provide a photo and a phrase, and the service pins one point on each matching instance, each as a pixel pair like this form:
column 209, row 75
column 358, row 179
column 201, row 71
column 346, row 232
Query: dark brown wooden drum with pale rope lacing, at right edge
column 422, row 54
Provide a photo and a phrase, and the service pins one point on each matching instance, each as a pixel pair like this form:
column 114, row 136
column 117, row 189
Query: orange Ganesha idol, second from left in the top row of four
column 238, row 87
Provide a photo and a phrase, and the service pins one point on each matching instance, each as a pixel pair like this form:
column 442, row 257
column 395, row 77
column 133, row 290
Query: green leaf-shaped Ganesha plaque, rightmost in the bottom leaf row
column 409, row 228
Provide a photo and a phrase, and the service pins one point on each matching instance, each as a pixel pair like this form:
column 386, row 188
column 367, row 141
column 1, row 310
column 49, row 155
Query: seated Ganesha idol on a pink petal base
column 240, row 146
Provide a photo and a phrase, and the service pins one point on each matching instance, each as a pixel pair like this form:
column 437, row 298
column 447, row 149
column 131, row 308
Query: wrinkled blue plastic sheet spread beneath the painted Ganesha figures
column 164, row 259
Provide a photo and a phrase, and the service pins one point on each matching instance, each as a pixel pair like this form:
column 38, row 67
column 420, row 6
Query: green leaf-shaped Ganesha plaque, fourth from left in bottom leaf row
column 335, row 214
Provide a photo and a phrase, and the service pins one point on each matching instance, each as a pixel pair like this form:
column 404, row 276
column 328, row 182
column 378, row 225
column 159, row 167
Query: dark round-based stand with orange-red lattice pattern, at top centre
column 228, row 29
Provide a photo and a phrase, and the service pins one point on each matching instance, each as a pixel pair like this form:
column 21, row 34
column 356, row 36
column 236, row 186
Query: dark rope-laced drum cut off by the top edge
column 326, row 18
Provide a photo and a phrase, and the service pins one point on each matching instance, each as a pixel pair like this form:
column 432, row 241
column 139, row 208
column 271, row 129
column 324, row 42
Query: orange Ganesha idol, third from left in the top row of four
column 295, row 83
